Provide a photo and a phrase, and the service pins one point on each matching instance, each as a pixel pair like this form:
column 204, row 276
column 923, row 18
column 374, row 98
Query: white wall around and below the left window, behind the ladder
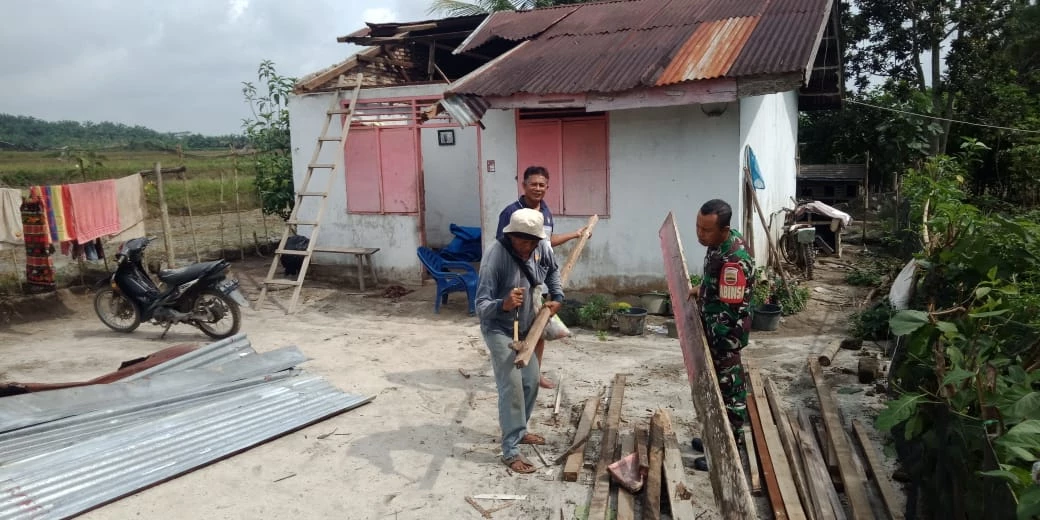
column 398, row 237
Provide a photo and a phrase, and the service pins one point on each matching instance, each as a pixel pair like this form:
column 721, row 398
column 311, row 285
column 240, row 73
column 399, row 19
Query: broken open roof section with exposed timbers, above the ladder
column 403, row 55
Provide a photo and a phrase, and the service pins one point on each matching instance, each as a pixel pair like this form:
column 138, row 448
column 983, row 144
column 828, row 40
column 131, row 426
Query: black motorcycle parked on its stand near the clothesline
column 199, row 295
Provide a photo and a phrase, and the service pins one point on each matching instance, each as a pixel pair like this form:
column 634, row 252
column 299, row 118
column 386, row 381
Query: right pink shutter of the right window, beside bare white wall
column 585, row 158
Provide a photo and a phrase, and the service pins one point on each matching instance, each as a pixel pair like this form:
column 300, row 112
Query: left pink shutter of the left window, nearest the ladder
column 363, row 193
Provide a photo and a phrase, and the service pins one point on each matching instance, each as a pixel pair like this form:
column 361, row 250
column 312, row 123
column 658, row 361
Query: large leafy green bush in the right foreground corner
column 969, row 369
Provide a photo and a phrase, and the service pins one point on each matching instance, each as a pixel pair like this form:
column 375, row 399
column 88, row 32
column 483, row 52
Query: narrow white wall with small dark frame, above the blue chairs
column 452, row 184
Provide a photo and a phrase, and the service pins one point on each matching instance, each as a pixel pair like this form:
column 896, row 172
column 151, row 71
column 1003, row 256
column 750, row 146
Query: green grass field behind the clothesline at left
column 203, row 177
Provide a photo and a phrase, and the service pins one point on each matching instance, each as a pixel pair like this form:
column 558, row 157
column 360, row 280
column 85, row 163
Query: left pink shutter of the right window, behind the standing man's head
column 539, row 144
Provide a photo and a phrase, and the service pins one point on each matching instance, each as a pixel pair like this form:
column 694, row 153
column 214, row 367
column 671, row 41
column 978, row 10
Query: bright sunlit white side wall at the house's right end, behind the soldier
column 770, row 125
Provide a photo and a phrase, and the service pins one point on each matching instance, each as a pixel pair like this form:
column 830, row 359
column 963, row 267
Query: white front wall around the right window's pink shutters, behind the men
column 661, row 161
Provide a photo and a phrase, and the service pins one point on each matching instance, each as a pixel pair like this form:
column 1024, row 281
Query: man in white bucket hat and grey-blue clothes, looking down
column 512, row 269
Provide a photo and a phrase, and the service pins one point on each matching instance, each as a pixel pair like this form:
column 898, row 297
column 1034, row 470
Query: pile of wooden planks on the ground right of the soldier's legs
column 805, row 464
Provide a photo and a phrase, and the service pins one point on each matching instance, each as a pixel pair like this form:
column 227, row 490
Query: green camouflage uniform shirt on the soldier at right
column 726, row 325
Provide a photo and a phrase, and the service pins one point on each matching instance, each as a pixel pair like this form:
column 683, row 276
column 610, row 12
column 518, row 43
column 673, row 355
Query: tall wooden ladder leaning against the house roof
column 303, row 193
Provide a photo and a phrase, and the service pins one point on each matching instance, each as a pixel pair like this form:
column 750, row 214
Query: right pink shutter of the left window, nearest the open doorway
column 400, row 162
